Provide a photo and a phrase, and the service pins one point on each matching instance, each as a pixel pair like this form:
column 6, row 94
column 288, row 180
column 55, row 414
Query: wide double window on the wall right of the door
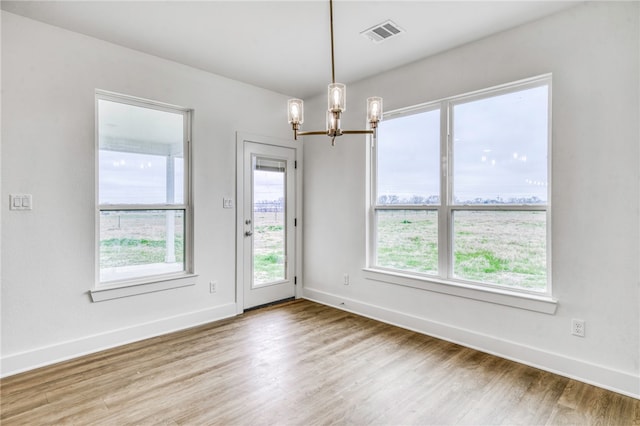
column 461, row 189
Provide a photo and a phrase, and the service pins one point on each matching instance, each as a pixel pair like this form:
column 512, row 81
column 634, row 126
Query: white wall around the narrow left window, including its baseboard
column 49, row 76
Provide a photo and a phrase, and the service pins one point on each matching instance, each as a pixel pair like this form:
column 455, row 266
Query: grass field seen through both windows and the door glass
column 501, row 247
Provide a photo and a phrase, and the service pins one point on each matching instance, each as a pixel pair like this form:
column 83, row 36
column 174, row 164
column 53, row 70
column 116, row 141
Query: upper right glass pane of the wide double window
column 500, row 149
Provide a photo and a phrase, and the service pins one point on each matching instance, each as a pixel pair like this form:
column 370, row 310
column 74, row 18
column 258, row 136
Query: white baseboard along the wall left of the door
column 40, row 357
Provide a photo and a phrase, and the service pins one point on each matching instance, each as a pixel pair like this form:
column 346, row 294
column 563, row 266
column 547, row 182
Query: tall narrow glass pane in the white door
column 269, row 235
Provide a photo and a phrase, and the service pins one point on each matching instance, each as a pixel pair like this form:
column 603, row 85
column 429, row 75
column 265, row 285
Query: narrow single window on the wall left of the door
column 143, row 190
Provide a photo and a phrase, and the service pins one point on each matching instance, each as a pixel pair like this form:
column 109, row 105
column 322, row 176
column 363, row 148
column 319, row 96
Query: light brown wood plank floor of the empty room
column 302, row 363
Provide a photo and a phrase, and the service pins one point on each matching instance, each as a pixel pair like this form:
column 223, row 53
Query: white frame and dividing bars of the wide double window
column 447, row 208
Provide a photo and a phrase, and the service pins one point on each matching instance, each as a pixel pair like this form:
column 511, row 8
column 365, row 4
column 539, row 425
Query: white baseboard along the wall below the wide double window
column 597, row 375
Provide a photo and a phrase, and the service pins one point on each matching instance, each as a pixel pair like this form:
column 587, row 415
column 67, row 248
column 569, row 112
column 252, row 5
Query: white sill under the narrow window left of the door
column 134, row 288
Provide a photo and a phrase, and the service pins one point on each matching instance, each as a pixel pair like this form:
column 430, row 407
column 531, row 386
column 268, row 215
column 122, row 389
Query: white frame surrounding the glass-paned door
column 241, row 138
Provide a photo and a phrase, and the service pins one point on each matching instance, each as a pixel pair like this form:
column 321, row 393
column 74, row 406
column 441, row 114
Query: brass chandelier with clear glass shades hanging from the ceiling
column 337, row 104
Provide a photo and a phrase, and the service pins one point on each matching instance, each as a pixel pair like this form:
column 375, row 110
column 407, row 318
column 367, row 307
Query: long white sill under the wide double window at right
column 531, row 302
